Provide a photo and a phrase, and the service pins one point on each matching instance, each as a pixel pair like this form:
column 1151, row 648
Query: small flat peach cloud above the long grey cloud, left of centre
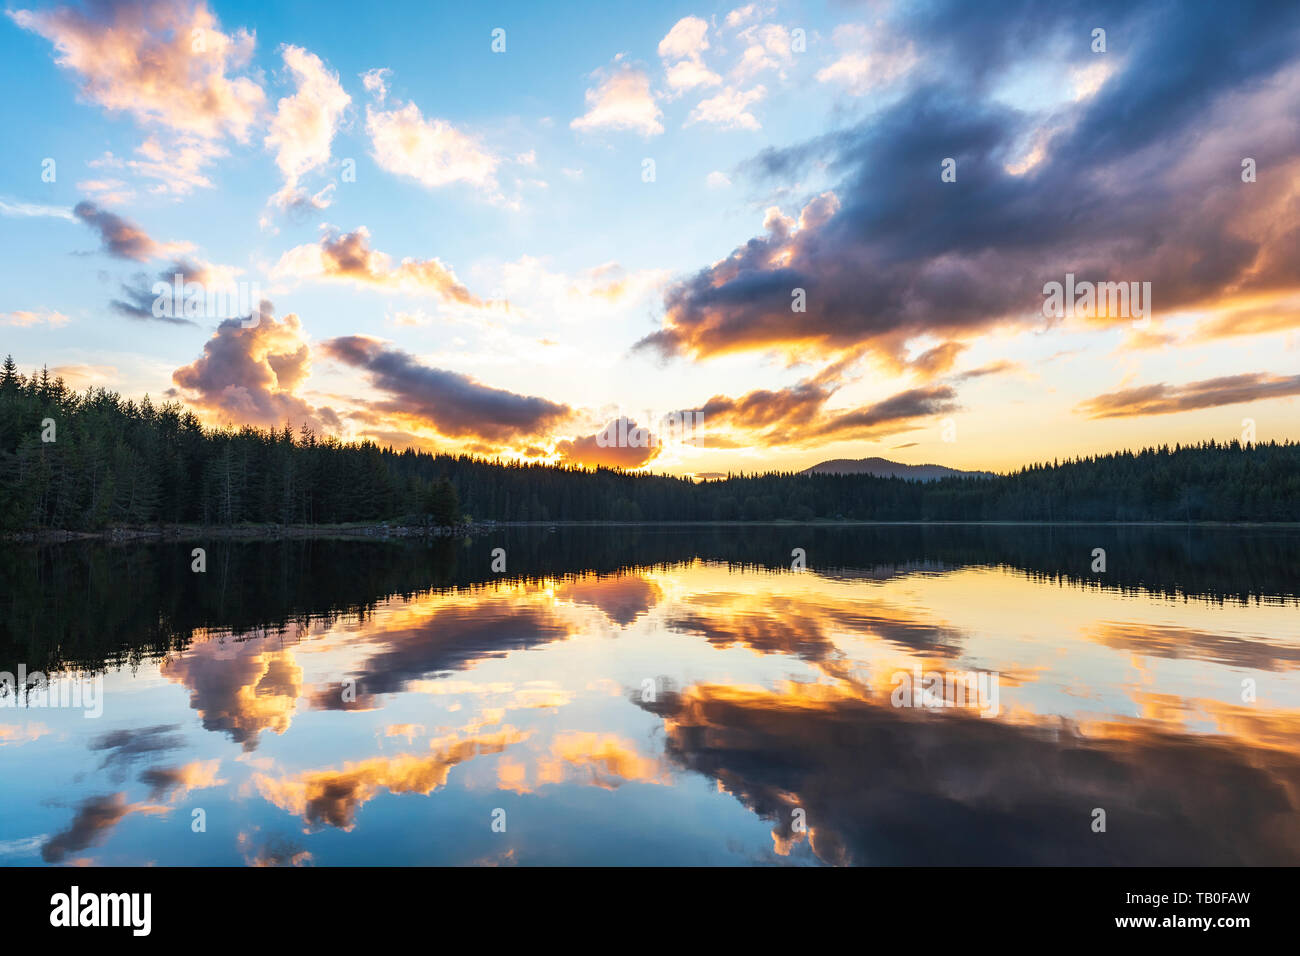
column 348, row 257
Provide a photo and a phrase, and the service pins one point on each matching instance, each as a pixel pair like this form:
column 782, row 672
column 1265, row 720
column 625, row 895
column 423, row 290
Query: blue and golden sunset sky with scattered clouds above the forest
column 678, row 237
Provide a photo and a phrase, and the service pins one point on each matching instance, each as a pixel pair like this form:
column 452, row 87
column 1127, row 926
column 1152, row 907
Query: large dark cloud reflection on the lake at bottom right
column 899, row 786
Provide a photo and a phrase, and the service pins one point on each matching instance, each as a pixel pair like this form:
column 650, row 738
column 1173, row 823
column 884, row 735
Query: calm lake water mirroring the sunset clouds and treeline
column 662, row 697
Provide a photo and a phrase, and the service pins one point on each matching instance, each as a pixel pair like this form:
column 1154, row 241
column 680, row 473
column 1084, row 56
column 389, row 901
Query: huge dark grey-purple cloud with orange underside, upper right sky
column 1143, row 198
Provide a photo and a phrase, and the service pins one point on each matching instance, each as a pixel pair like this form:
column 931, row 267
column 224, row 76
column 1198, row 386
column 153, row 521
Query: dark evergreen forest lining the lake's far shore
column 116, row 462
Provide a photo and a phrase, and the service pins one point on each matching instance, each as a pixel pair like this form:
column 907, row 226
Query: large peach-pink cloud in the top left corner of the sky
column 168, row 66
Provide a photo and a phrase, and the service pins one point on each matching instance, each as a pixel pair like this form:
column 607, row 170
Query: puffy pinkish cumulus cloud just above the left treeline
column 250, row 375
